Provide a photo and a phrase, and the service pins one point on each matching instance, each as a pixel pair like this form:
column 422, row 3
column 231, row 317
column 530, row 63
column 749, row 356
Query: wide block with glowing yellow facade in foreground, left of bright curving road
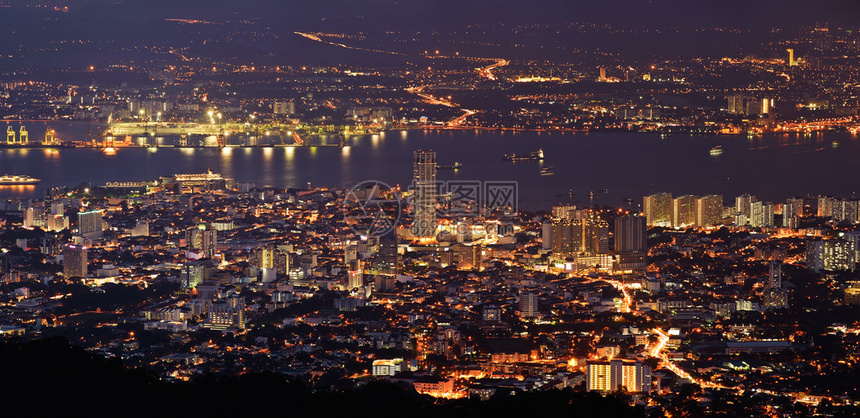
column 612, row 375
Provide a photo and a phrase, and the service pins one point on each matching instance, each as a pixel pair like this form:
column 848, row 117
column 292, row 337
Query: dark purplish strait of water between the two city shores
column 629, row 165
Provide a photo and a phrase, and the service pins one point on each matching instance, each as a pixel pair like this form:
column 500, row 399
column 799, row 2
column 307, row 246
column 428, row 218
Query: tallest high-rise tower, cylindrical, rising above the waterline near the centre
column 424, row 183
